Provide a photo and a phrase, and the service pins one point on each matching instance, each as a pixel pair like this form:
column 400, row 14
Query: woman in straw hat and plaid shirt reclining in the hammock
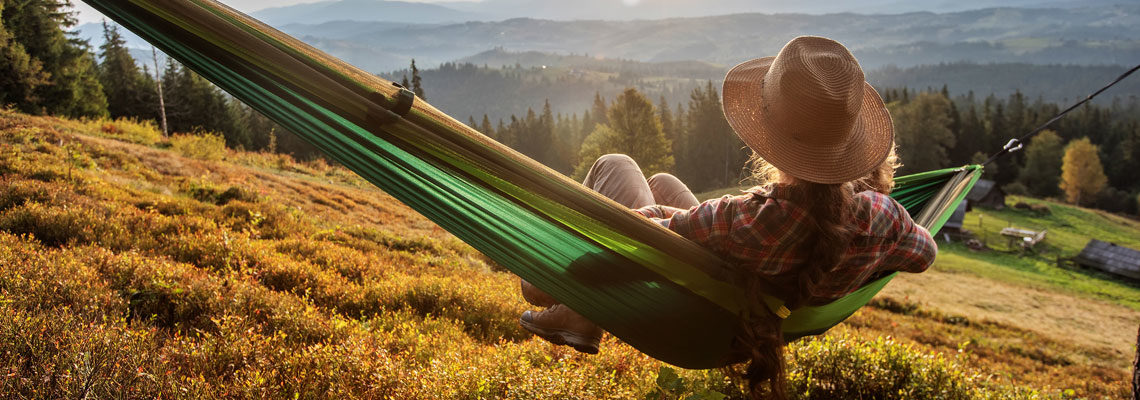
column 819, row 230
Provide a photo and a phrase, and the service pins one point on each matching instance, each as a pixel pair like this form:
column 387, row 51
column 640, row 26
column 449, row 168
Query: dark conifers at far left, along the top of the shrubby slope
column 46, row 70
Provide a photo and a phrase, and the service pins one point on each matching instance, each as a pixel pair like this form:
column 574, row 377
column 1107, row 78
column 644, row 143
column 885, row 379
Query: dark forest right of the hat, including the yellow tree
column 1090, row 157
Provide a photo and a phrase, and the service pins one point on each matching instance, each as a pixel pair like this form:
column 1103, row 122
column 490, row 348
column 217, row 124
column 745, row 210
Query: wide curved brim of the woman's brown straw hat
column 866, row 148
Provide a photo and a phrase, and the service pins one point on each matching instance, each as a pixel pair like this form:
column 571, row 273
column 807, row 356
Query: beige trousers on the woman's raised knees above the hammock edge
column 618, row 177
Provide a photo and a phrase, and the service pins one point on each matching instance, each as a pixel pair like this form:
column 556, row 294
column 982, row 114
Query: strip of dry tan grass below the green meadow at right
column 1080, row 321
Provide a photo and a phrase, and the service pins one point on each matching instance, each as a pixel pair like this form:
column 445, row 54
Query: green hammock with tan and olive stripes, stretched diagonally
column 661, row 293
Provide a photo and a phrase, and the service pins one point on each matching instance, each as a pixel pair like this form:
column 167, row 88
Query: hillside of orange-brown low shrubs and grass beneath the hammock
column 131, row 271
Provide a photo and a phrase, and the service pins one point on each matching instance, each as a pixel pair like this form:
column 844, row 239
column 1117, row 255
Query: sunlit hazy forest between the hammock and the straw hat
column 693, row 141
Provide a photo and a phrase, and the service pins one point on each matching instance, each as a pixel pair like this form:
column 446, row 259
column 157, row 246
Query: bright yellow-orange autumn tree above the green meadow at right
column 1082, row 175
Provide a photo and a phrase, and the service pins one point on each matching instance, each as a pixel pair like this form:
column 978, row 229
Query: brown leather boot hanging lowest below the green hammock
column 561, row 325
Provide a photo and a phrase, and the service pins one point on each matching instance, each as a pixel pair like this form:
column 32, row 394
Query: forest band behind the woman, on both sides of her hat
column 934, row 130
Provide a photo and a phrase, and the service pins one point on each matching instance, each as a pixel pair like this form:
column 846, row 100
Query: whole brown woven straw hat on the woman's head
column 810, row 112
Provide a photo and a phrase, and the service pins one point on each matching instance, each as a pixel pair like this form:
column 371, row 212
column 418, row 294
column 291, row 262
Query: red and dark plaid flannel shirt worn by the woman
column 767, row 233
